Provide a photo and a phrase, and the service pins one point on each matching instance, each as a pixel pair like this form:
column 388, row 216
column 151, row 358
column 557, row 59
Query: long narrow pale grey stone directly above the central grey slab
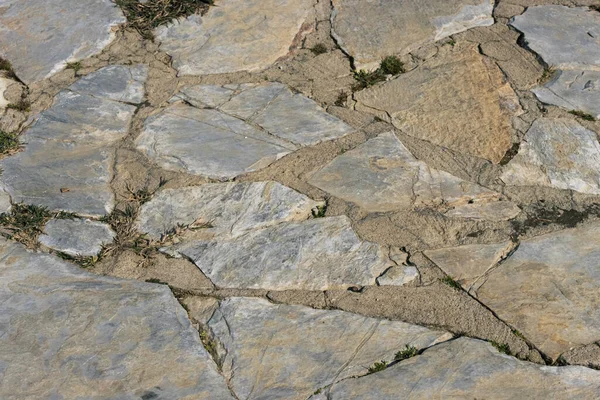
column 228, row 207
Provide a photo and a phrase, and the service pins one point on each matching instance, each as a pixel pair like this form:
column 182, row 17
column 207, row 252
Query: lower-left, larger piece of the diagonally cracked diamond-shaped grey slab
column 206, row 142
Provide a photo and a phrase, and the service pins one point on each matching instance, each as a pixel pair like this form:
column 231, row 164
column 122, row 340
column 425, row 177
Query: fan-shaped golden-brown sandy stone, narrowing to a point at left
column 437, row 101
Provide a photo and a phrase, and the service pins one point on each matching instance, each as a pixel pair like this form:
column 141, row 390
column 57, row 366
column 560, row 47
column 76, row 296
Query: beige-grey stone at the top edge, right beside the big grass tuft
column 236, row 35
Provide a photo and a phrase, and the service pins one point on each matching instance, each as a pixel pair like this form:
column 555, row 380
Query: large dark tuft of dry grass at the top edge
column 144, row 17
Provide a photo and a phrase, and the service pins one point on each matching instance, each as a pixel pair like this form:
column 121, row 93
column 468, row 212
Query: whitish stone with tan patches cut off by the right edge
column 558, row 153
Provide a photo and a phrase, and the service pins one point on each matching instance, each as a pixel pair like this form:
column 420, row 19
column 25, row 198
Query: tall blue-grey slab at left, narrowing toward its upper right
column 67, row 160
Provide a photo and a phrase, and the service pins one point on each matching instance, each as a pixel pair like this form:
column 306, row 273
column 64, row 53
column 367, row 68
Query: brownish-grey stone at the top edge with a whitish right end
column 371, row 30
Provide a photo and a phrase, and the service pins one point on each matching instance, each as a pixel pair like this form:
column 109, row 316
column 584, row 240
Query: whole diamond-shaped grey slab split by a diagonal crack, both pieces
column 234, row 129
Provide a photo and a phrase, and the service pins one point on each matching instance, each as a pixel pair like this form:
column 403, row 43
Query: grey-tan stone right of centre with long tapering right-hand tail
column 382, row 175
